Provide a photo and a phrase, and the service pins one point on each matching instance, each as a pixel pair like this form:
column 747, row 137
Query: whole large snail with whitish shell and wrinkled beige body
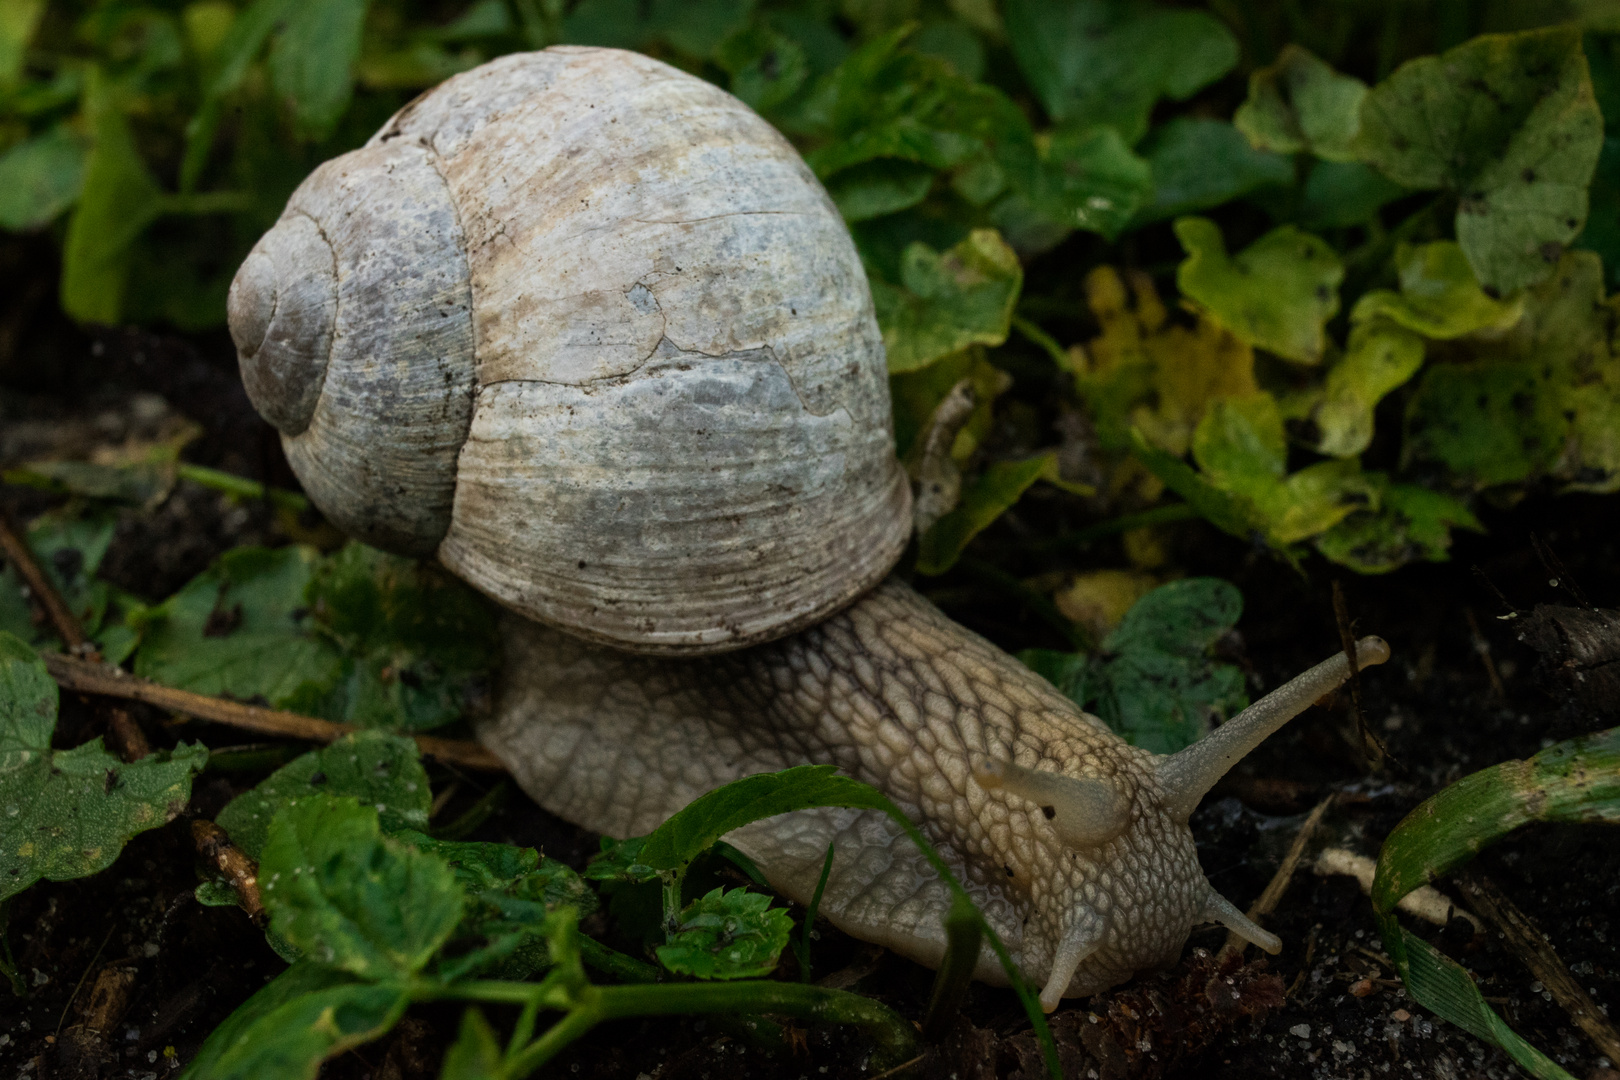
column 587, row 331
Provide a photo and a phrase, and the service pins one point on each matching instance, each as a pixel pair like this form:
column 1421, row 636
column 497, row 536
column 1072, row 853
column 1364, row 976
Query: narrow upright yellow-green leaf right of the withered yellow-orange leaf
column 1379, row 359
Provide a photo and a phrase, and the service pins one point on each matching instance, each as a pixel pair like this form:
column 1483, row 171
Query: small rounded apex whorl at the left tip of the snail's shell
column 283, row 308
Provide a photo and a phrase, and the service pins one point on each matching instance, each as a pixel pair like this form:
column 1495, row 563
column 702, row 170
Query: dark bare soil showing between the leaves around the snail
column 129, row 974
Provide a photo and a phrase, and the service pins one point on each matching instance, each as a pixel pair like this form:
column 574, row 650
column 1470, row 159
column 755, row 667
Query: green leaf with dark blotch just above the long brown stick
column 242, row 629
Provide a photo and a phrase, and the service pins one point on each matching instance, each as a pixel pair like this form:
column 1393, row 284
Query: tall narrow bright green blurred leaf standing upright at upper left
column 117, row 202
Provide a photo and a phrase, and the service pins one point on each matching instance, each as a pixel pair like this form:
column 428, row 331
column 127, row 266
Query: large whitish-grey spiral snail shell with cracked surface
column 587, row 330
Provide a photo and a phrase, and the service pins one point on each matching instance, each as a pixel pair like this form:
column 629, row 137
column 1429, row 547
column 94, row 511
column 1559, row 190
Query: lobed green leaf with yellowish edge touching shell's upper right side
column 949, row 302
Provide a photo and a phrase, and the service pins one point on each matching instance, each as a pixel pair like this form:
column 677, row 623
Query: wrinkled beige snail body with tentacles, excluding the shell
column 973, row 746
